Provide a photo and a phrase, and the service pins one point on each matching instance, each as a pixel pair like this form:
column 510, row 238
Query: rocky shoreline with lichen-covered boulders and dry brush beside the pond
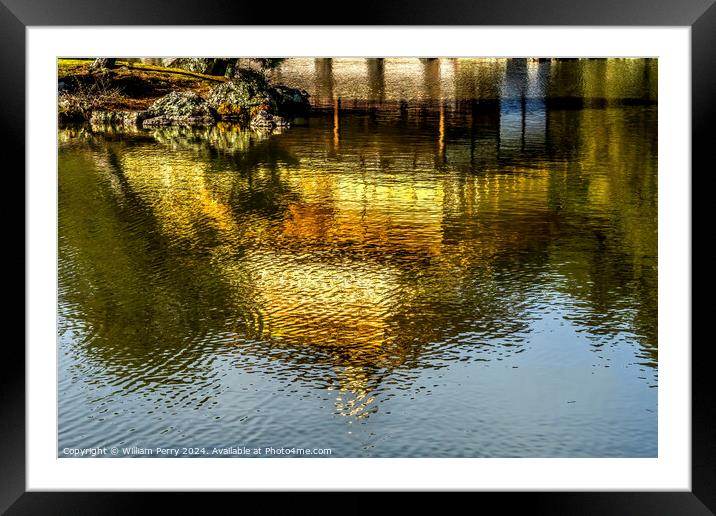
column 247, row 98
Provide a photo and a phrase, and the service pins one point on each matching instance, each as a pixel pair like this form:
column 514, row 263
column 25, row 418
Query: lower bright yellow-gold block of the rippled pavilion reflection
column 324, row 304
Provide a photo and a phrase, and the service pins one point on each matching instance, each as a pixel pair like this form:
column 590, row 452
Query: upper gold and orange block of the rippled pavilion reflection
column 373, row 213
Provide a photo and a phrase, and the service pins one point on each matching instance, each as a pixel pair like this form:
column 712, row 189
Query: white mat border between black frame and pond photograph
column 671, row 471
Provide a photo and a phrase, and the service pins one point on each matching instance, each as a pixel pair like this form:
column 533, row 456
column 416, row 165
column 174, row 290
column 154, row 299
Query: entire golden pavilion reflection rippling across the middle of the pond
column 338, row 268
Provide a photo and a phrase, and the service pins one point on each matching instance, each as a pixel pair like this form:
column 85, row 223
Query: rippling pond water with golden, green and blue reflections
column 448, row 258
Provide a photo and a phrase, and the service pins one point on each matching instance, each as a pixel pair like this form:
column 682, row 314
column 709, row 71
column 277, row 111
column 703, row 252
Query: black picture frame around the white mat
column 700, row 15
